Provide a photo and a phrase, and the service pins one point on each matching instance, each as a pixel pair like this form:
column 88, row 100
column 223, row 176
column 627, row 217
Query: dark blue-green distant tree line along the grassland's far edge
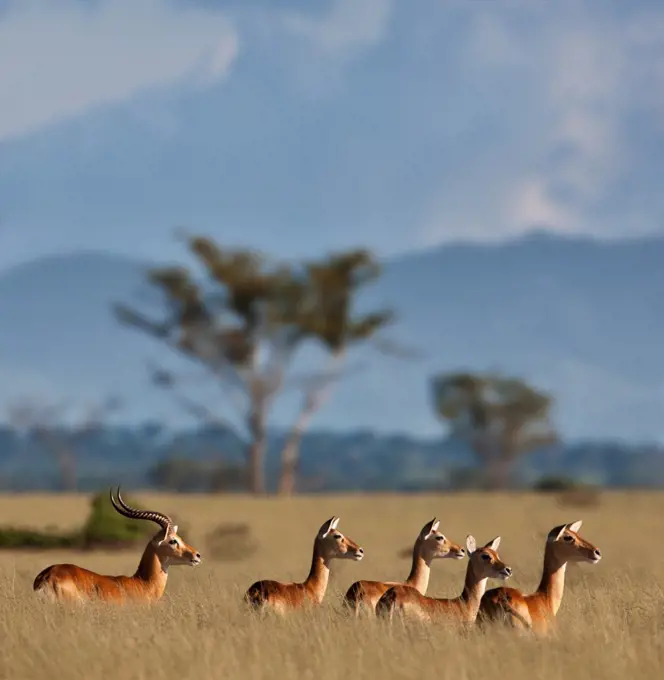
column 211, row 458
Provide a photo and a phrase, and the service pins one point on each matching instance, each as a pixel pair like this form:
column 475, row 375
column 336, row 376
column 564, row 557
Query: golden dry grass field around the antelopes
column 611, row 624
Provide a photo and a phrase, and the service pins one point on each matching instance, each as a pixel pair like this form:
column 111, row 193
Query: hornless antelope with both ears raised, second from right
column 483, row 563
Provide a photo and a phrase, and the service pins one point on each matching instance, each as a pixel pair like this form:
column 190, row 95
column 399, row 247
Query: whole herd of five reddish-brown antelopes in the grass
column 534, row 612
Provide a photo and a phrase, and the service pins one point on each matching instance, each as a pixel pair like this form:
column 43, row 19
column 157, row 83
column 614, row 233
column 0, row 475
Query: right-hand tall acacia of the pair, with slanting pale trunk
column 327, row 315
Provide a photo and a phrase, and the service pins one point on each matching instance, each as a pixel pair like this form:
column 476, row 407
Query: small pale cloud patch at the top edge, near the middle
column 348, row 27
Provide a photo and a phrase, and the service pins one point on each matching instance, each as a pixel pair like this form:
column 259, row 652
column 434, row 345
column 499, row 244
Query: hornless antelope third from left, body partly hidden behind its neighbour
column 429, row 545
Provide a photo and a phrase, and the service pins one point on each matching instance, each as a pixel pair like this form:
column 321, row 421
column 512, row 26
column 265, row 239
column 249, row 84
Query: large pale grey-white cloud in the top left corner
column 61, row 59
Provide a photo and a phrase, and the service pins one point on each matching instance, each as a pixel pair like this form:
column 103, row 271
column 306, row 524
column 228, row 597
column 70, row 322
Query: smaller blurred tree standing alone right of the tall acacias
column 501, row 418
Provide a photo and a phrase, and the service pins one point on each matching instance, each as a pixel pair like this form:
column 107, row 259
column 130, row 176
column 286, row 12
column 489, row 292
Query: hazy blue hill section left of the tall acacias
column 57, row 333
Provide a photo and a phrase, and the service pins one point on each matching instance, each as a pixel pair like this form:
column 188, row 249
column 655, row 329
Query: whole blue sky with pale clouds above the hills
column 303, row 126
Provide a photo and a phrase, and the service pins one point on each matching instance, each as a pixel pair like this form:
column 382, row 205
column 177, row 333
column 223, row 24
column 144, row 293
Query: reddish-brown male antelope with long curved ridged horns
column 68, row 582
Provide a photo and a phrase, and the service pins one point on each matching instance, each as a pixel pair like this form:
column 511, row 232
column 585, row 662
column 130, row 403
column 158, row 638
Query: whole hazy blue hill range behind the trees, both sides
column 580, row 317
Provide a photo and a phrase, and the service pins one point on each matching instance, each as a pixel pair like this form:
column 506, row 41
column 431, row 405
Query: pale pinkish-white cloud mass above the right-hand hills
column 578, row 72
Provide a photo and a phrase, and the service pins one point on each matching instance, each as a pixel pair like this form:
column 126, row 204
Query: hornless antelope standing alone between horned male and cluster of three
column 279, row 597
